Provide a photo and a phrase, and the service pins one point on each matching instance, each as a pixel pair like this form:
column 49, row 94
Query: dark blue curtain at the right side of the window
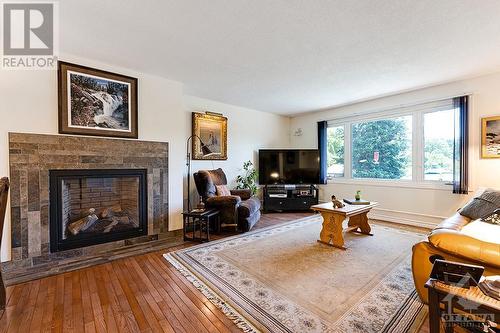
column 461, row 146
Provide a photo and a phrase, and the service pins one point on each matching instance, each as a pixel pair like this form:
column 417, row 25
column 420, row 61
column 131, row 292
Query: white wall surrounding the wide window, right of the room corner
column 417, row 205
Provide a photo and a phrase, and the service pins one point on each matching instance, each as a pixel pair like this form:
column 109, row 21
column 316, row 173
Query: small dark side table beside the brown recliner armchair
column 196, row 224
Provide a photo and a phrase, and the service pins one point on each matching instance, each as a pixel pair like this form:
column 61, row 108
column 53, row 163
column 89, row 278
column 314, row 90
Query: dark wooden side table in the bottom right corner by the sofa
column 467, row 308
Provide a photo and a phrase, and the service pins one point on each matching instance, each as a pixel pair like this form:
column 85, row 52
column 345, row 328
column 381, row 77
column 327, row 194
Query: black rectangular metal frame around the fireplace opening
column 57, row 243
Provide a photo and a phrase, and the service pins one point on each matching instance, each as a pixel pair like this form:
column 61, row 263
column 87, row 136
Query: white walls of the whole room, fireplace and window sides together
column 28, row 103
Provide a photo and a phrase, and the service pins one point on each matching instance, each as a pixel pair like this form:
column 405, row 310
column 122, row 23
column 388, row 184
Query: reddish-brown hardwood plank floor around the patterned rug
column 143, row 293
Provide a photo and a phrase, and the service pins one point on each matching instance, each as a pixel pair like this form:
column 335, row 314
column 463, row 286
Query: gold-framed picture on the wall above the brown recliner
column 211, row 129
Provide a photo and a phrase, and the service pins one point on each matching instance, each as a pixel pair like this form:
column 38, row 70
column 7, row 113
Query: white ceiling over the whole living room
column 289, row 56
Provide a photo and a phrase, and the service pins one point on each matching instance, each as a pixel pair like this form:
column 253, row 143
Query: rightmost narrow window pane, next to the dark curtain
column 438, row 145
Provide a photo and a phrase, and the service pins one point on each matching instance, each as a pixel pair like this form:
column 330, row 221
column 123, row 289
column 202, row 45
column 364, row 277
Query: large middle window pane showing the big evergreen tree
column 382, row 149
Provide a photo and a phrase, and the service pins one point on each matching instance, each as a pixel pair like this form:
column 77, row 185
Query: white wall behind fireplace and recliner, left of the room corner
column 28, row 103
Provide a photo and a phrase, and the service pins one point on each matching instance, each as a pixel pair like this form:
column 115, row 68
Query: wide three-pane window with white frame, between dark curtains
column 412, row 144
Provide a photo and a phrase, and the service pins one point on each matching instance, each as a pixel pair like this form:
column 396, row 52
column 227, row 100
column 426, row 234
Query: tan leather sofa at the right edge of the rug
column 460, row 239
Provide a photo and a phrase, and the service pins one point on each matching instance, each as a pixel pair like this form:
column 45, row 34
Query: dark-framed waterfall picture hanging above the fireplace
column 96, row 102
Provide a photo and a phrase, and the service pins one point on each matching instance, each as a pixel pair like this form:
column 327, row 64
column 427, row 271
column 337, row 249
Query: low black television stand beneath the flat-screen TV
column 290, row 197
